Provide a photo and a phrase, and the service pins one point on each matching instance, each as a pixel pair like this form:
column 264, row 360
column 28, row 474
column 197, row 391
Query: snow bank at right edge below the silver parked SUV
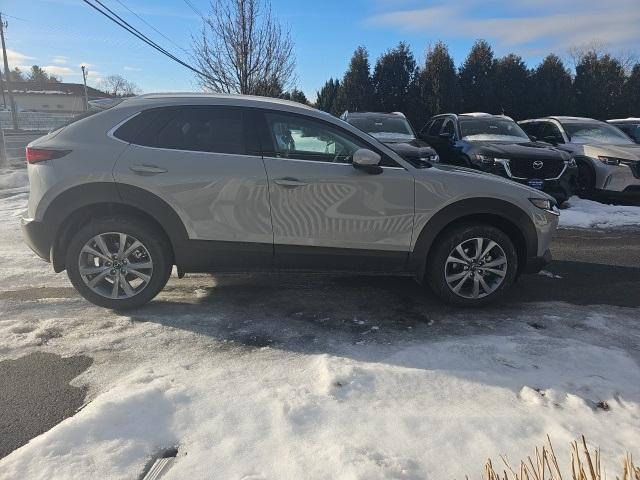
column 583, row 213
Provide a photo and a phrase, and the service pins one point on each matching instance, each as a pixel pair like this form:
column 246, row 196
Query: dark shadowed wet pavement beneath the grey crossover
column 323, row 313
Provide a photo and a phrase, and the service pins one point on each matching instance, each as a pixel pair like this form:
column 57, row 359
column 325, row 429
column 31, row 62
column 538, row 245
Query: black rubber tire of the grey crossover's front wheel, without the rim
column 445, row 244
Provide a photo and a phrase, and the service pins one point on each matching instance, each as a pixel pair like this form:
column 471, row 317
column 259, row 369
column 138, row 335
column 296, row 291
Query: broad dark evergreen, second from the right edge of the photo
column 598, row 86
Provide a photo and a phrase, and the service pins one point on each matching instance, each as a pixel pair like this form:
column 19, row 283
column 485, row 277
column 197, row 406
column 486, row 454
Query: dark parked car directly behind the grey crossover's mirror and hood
column 395, row 131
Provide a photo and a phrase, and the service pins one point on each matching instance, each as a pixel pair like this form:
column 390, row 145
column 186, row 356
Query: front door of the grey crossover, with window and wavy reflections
column 326, row 214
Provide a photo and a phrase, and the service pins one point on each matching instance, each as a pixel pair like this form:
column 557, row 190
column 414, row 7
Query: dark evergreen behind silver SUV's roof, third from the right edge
column 551, row 92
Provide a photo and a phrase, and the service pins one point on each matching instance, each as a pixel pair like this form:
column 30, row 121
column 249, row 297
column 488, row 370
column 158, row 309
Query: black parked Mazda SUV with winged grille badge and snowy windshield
column 496, row 144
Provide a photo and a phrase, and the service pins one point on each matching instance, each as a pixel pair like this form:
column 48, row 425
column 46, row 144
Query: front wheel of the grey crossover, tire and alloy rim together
column 472, row 265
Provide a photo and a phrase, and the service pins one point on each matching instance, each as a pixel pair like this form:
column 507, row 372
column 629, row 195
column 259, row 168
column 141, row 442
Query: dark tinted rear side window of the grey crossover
column 196, row 128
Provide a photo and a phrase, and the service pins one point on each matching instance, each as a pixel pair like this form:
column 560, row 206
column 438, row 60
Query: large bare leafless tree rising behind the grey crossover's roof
column 243, row 49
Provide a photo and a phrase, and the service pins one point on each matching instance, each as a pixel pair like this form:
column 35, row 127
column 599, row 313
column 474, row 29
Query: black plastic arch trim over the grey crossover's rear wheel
column 59, row 215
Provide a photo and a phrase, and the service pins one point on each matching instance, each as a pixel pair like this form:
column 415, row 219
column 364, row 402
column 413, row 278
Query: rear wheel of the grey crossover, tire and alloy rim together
column 119, row 262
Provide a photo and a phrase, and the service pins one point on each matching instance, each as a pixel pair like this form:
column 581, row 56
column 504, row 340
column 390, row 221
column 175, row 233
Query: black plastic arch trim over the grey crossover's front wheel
column 512, row 216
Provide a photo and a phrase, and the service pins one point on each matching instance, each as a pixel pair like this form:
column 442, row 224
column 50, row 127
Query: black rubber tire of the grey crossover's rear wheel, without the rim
column 153, row 239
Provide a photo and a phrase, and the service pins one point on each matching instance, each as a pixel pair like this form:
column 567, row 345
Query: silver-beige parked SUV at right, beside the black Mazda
column 608, row 160
